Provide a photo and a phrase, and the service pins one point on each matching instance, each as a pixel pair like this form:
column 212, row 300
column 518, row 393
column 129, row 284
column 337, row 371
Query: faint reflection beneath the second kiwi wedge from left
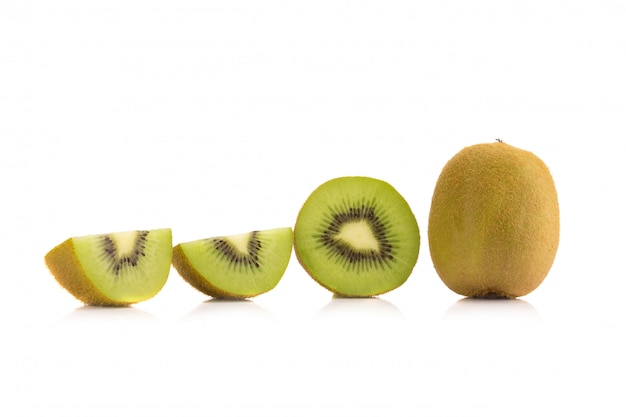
column 229, row 309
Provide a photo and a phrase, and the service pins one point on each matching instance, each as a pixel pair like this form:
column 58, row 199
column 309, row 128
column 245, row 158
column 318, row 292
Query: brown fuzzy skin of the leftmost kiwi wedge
column 67, row 270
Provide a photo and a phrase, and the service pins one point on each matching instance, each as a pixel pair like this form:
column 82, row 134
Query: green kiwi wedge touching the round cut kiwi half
column 236, row 266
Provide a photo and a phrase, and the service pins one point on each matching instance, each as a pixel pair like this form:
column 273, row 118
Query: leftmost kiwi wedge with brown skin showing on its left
column 113, row 269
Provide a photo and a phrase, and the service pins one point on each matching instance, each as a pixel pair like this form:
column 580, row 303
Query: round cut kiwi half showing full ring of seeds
column 357, row 237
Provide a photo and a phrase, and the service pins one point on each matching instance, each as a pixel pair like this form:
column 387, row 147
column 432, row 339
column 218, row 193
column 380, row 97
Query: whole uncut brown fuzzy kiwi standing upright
column 493, row 227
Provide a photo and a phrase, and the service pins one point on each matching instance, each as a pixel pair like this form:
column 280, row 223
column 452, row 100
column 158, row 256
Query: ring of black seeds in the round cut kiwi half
column 350, row 256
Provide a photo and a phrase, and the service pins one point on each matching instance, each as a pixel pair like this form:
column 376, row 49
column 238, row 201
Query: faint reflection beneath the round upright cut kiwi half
column 369, row 307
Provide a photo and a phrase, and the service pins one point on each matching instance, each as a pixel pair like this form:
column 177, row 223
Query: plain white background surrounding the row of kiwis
column 220, row 117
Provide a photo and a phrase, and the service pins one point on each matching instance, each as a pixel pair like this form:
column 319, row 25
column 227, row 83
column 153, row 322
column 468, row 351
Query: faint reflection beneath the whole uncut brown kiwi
column 495, row 309
